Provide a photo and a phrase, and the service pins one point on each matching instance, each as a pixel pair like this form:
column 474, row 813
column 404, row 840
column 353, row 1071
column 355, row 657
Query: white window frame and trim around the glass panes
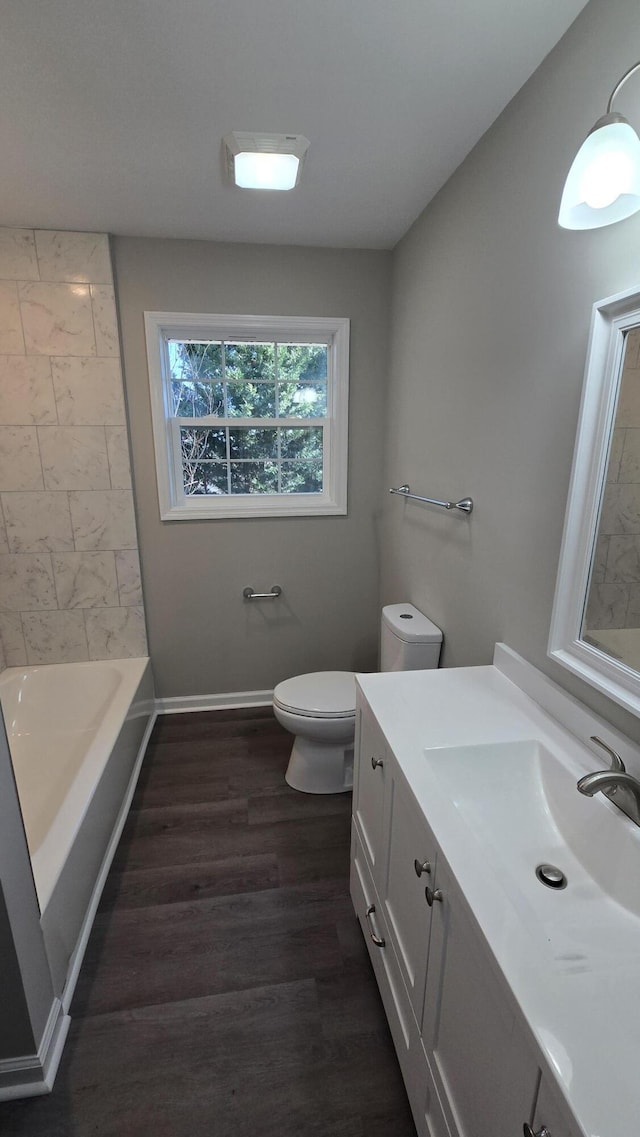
column 173, row 503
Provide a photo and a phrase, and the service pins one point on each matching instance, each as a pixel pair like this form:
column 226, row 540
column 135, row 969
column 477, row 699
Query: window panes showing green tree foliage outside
column 263, row 387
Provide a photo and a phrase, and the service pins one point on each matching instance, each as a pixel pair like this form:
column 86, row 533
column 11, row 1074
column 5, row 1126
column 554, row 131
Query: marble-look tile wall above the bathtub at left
column 70, row 575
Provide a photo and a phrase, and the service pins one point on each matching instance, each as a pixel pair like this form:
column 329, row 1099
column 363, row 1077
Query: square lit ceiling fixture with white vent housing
column 264, row 162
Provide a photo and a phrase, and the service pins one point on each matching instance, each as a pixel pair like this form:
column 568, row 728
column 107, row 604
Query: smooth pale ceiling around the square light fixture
column 115, row 110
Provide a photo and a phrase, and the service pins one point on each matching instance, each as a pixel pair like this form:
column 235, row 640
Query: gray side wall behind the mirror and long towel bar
column 491, row 321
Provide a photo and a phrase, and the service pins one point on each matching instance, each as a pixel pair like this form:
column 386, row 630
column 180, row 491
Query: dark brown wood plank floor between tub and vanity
column 227, row 987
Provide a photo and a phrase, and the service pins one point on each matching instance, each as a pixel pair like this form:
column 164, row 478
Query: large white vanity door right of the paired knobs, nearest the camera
column 481, row 1065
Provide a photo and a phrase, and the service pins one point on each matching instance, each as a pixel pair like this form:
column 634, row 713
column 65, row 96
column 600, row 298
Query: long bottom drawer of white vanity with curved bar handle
column 402, row 1023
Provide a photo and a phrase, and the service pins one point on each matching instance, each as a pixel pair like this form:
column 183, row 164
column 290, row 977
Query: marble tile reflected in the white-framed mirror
column 614, row 601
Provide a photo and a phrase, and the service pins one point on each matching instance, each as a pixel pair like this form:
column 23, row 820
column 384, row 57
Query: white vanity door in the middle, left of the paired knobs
column 410, row 870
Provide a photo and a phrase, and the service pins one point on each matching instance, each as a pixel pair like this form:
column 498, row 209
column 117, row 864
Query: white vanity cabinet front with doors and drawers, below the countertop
column 469, row 1063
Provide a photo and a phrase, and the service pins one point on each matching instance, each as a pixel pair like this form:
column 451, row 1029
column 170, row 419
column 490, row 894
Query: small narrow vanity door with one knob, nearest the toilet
column 372, row 767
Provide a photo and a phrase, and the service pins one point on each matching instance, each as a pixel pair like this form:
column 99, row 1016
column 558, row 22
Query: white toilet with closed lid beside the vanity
column 320, row 709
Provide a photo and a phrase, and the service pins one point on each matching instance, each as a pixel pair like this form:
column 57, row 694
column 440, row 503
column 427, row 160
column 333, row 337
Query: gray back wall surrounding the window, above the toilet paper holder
column 203, row 637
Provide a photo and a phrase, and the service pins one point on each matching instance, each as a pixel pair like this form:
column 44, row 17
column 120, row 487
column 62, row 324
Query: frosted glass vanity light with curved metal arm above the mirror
column 603, row 185
